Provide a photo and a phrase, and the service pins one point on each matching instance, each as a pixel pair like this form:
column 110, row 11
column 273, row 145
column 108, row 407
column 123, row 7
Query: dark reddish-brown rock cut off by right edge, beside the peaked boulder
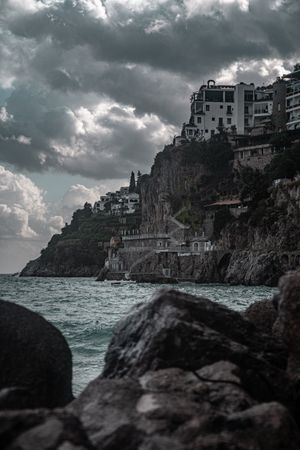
column 289, row 319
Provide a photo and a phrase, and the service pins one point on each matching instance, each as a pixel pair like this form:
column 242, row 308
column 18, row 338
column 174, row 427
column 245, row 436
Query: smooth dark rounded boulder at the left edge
column 35, row 360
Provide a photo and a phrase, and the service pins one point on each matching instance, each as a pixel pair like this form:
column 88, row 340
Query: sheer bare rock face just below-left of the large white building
column 177, row 177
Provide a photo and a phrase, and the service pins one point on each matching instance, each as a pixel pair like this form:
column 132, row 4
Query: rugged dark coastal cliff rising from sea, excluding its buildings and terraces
column 254, row 245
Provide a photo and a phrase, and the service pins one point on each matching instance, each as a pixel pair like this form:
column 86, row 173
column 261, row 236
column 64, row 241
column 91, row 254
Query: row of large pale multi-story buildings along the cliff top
column 243, row 109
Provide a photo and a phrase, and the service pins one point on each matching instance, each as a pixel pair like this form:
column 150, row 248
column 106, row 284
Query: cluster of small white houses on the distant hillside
column 118, row 203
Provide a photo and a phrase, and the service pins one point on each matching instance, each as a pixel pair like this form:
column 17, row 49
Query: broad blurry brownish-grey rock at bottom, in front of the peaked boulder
column 176, row 409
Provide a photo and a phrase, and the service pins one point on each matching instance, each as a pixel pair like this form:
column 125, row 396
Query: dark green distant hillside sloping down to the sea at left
column 80, row 249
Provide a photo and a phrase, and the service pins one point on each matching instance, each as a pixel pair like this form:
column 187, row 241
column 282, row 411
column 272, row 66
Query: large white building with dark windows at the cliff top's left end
column 216, row 107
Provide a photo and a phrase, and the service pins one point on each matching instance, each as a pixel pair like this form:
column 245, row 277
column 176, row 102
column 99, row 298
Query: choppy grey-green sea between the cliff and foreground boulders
column 86, row 311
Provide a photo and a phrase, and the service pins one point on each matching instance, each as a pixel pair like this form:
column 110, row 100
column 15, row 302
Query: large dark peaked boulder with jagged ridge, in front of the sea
column 179, row 330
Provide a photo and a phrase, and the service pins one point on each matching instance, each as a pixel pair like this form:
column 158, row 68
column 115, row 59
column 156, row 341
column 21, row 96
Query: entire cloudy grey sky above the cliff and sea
column 92, row 89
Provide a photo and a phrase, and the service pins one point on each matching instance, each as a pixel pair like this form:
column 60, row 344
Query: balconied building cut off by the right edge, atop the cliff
column 293, row 98
